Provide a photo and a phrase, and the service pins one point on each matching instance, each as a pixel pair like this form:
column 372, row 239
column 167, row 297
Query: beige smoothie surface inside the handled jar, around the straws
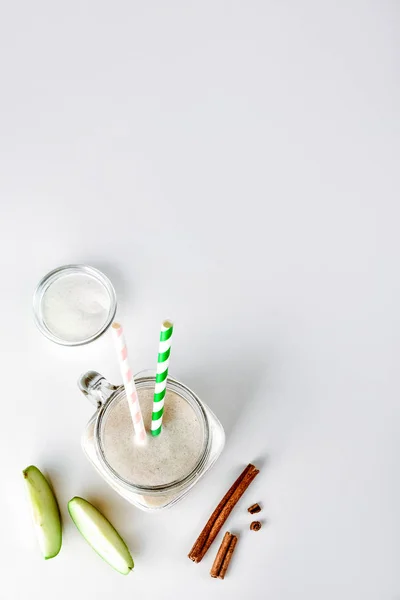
column 162, row 459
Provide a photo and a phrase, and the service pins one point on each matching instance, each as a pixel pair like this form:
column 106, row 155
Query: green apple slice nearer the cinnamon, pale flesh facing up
column 101, row 535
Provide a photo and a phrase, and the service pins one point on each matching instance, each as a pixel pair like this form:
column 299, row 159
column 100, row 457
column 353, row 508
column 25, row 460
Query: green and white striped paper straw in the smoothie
column 164, row 351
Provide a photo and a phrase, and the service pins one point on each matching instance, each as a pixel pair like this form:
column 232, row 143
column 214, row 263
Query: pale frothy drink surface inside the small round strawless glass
column 75, row 307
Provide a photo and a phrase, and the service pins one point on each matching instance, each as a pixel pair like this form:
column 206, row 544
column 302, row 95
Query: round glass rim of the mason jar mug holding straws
column 189, row 396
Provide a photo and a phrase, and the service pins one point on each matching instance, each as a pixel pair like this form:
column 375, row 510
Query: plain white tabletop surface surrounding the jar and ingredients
column 232, row 166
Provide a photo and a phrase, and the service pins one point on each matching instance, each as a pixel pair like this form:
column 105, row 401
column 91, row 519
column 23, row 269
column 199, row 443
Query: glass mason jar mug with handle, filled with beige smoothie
column 159, row 473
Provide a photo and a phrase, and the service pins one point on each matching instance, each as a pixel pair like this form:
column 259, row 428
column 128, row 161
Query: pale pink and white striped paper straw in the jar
column 129, row 382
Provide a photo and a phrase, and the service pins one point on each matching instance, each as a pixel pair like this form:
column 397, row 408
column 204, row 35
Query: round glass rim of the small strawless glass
column 50, row 278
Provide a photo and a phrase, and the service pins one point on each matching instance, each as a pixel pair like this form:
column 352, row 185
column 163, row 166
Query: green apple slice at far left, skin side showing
column 45, row 511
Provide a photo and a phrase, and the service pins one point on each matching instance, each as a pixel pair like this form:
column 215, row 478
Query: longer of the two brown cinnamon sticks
column 221, row 513
